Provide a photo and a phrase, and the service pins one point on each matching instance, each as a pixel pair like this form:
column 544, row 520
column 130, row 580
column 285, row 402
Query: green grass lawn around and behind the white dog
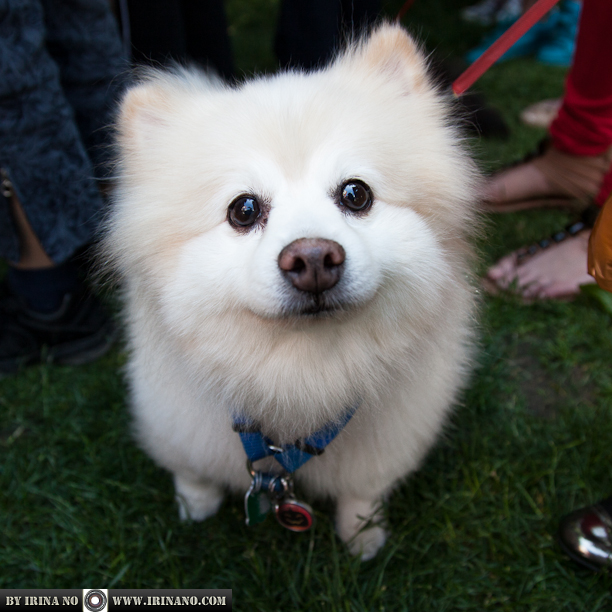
column 474, row 529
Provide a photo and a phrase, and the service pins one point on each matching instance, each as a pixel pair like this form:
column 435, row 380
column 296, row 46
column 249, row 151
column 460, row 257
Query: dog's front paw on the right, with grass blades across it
column 359, row 525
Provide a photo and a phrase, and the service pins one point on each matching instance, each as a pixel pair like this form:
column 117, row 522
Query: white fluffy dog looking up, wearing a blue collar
column 291, row 247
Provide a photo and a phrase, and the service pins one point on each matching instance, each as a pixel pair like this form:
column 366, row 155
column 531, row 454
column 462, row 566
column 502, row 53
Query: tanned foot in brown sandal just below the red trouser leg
column 575, row 180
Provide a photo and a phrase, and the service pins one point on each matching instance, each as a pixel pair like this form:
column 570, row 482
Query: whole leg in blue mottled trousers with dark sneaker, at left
column 50, row 204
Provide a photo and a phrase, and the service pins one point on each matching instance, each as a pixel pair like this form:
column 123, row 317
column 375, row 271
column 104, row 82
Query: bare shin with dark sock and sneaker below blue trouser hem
column 44, row 304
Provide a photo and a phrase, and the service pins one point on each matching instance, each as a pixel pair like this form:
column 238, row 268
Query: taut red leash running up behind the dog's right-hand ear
column 526, row 21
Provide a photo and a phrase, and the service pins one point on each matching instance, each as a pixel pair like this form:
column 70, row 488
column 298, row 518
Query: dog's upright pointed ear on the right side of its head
column 391, row 52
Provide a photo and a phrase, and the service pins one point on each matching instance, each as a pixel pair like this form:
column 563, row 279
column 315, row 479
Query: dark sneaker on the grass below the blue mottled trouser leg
column 80, row 331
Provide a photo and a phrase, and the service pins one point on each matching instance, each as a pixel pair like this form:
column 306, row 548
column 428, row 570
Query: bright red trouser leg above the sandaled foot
column 584, row 123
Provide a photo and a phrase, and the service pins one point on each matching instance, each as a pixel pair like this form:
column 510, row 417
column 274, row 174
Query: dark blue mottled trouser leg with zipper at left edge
column 41, row 151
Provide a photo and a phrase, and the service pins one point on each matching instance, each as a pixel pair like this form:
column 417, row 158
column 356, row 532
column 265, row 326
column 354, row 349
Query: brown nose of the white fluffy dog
column 312, row 264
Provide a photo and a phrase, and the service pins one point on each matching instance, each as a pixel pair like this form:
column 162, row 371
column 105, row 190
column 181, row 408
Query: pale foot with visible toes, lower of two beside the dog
column 554, row 273
